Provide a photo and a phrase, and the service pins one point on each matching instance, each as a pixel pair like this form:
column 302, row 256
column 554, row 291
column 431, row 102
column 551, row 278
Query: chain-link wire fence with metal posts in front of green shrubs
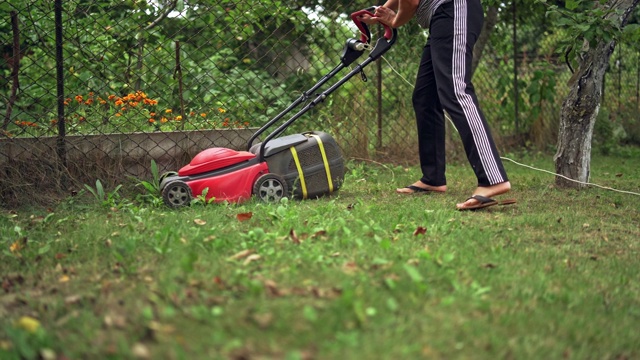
column 99, row 89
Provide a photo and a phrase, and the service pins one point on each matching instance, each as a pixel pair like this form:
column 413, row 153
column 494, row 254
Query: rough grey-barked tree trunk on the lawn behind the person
column 580, row 109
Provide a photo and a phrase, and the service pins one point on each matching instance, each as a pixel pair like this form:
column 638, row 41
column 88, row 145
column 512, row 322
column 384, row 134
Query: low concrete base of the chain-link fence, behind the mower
column 131, row 153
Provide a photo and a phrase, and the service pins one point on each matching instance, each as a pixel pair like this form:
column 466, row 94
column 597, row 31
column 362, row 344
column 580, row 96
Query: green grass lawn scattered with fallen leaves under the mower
column 365, row 274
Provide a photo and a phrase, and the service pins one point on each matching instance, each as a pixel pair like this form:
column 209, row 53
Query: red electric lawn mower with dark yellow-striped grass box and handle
column 303, row 165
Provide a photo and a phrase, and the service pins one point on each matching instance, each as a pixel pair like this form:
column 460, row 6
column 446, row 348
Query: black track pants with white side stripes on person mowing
column 443, row 84
